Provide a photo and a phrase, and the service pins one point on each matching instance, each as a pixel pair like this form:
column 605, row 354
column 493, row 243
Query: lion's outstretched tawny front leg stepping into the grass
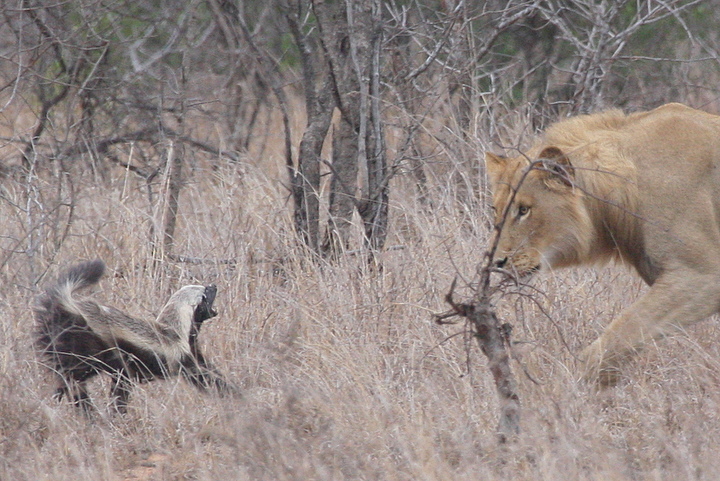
column 675, row 301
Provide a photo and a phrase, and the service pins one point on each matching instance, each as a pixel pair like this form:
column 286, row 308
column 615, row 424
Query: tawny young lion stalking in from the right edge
column 642, row 189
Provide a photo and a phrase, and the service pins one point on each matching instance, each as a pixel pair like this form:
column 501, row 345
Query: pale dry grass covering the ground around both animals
column 344, row 374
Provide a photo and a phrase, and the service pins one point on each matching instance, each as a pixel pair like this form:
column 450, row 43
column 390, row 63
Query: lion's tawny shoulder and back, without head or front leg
column 654, row 177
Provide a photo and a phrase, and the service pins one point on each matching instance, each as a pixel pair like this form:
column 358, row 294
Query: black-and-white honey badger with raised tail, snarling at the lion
column 82, row 338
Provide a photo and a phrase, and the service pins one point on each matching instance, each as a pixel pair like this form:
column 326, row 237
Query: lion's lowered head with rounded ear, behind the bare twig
column 544, row 221
